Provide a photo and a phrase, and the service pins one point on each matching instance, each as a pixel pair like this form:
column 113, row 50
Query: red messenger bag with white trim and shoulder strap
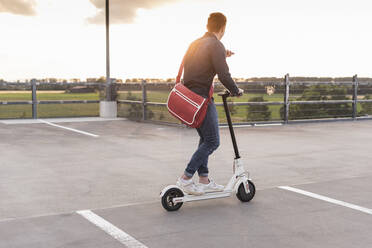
column 187, row 106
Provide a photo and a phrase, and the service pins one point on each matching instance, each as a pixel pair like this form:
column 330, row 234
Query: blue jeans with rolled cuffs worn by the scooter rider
column 208, row 143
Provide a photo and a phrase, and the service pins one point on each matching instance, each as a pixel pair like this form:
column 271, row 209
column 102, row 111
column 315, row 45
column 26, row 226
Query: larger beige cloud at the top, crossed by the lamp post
column 123, row 11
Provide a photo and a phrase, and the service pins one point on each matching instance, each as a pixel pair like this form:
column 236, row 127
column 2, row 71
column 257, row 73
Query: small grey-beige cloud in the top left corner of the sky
column 18, row 7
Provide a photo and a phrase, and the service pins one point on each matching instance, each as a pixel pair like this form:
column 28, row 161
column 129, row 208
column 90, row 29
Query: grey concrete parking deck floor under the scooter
column 49, row 171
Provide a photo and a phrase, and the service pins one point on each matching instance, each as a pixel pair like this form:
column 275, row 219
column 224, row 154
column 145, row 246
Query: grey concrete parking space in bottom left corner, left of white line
column 67, row 230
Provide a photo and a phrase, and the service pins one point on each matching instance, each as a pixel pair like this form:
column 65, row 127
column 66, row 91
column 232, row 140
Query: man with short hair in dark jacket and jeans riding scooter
column 205, row 58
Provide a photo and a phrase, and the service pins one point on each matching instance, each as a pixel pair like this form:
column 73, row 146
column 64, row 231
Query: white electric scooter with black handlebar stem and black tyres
column 172, row 196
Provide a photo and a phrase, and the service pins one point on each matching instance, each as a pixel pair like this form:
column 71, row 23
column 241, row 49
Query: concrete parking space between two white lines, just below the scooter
column 274, row 219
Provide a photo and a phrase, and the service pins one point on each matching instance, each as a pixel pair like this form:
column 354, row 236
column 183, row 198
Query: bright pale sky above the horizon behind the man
column 66, row 38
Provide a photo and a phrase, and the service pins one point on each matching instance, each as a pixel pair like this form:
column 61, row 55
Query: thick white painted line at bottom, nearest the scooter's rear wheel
column 112, row 230
